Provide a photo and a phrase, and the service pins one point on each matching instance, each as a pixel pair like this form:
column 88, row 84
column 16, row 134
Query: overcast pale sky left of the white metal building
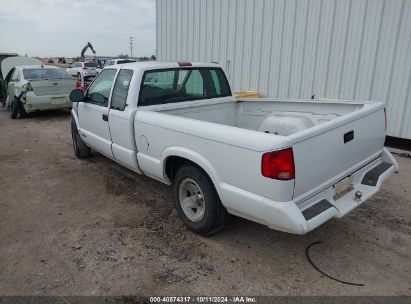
column 62, row 27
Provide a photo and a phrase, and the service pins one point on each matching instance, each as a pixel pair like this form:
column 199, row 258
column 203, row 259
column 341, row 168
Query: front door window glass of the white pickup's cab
column 99, row 91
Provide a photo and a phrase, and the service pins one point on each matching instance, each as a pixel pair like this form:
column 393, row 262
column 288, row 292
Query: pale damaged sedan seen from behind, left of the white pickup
column 38, row 87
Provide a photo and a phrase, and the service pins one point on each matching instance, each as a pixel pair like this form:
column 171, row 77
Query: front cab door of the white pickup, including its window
column 93, row 113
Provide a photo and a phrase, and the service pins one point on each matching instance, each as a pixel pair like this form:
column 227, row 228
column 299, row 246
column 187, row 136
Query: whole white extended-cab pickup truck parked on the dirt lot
column 288, row 164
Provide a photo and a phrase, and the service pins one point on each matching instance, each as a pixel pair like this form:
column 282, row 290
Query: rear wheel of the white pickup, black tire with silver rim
column 197, row 201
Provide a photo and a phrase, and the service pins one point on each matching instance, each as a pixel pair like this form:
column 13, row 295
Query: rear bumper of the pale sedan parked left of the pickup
column 33, row 102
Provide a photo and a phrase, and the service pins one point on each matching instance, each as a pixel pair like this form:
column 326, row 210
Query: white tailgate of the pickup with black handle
column 340, row 148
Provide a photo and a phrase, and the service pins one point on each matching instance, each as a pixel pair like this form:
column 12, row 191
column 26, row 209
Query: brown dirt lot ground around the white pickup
column 73, row 227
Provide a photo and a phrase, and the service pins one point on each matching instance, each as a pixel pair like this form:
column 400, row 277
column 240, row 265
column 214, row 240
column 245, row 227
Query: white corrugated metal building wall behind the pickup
column 345, row 49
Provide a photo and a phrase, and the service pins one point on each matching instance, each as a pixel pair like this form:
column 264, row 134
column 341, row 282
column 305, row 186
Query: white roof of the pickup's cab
column 152, row 65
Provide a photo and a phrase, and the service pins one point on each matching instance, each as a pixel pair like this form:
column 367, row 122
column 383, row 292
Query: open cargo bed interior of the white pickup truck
column 272, row 116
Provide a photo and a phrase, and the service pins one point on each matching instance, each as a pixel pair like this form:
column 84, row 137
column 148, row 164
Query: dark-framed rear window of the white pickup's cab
column 182, row 84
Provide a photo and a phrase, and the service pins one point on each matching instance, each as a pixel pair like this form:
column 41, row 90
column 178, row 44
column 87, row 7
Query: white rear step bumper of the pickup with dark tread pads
column 302, row 217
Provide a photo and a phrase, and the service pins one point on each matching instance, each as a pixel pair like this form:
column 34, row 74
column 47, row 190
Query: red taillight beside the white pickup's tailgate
column 278, row 164
